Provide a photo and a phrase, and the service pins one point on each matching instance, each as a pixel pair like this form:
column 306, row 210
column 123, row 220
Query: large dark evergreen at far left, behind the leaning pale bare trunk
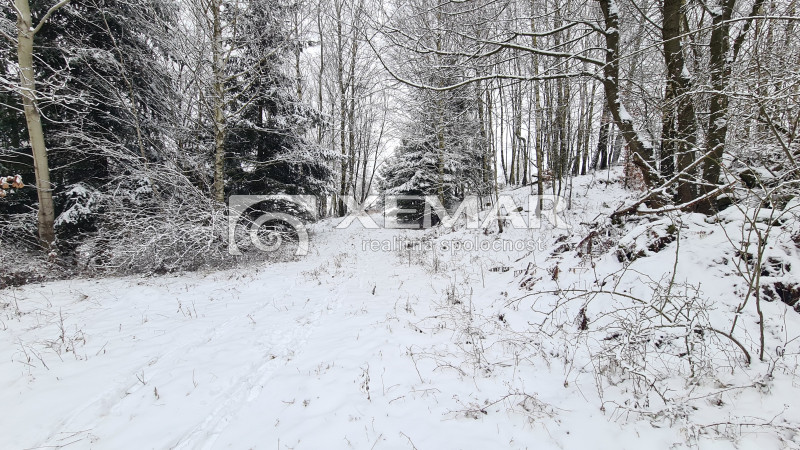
column 104, row 92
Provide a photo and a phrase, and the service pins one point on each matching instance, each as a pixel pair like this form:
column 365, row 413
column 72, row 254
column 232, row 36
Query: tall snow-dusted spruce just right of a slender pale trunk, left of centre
column 267, row 147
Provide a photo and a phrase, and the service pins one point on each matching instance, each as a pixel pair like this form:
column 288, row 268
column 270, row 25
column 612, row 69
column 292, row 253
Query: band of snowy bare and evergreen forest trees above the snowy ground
column 130, row 115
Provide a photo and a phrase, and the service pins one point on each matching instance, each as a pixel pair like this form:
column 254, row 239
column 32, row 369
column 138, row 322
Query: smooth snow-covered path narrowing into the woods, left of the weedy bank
column 193, row 361
